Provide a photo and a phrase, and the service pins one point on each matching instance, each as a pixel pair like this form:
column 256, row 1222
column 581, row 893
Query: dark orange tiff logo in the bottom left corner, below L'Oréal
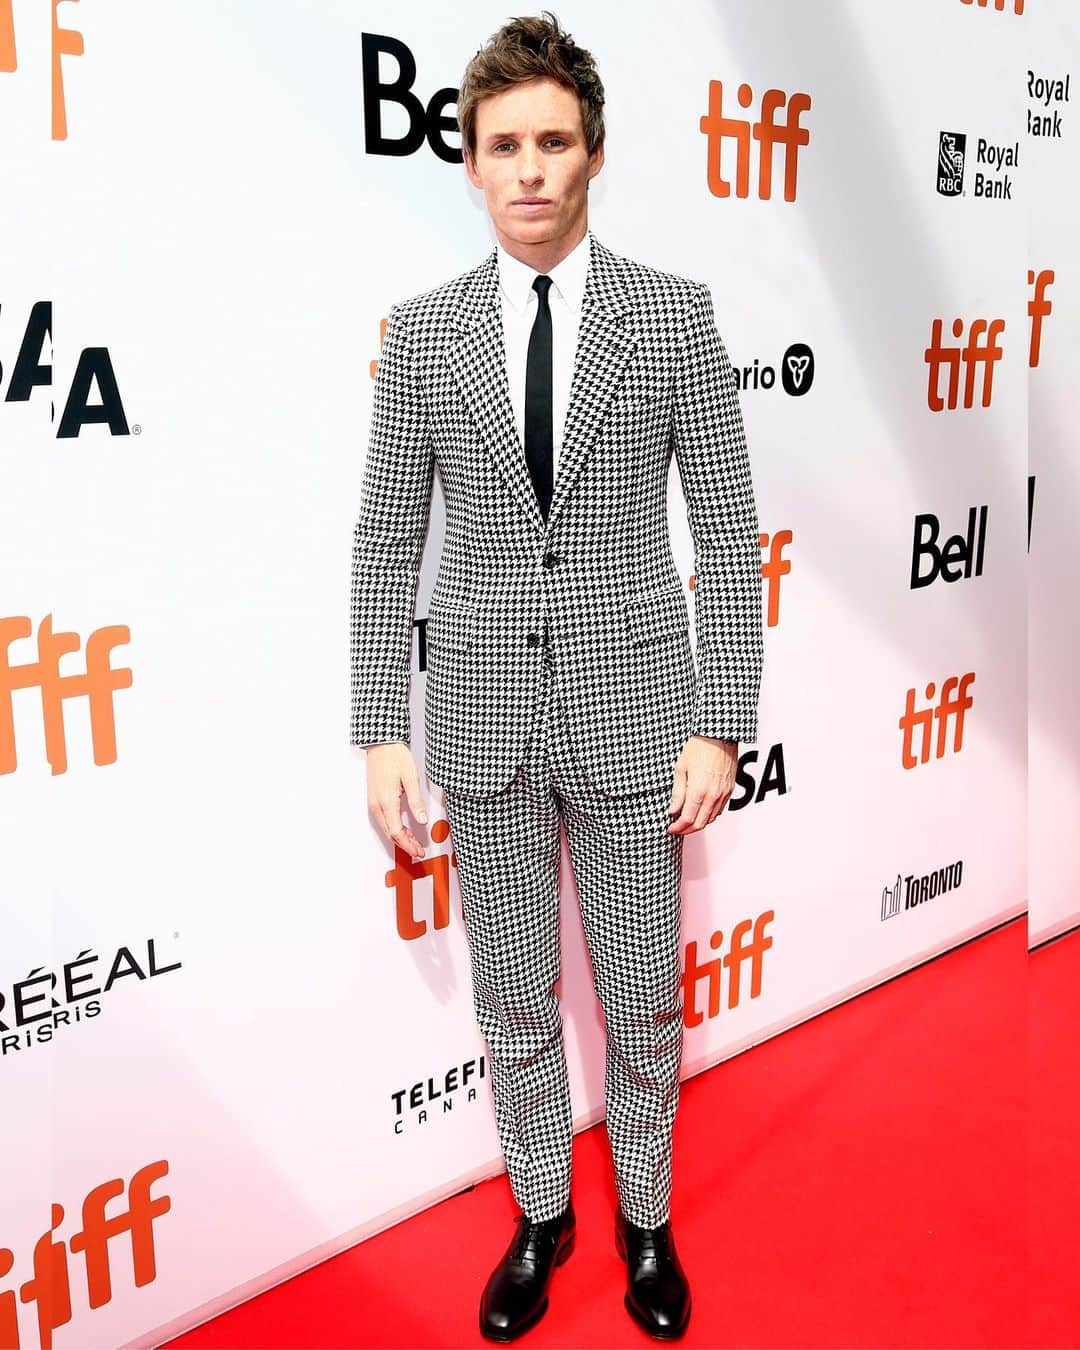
column 51, row 1285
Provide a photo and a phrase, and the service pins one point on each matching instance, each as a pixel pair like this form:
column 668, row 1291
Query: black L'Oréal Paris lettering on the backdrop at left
column 48, row 1000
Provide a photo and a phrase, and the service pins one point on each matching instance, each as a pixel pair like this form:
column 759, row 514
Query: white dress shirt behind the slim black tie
column 519, row 313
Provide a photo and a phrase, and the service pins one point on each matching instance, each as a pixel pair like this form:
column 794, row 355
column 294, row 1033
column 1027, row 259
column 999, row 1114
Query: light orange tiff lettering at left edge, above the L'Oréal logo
column 97, row 684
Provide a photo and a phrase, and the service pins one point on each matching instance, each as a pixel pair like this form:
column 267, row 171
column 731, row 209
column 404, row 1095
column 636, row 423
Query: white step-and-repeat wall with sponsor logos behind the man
column 237, row 1028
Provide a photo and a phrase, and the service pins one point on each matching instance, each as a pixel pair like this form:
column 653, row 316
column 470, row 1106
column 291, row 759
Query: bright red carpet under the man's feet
column 857, row 1182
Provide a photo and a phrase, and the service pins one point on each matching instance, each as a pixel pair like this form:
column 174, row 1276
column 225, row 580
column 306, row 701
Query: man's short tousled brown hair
column 524, row 49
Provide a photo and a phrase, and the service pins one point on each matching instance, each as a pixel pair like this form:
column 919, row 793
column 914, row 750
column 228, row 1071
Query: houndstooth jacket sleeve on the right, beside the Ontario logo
column 711, row 450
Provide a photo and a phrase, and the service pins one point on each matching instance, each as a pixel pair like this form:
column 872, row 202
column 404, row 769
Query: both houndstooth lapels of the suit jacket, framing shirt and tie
column 477, row 356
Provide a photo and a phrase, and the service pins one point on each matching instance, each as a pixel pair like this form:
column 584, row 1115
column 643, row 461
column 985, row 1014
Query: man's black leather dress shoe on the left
column 516, row 1295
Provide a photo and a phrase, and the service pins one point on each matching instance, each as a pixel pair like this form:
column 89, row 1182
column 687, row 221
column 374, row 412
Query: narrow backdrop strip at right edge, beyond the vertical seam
column 1054, row 620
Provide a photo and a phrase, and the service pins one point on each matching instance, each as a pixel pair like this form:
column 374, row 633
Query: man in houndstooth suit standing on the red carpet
column 551, row 385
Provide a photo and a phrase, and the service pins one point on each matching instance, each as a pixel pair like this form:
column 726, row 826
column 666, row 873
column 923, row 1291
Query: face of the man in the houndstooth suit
column 531, row 145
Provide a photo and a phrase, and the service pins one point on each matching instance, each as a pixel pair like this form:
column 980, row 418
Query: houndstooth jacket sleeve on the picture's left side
column 388, row 545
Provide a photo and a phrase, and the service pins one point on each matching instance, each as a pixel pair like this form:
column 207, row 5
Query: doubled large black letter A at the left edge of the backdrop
column 92, row 399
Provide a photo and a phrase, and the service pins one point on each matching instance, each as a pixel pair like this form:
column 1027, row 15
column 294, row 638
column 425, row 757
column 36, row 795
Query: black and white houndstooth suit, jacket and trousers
column 561, row 682
